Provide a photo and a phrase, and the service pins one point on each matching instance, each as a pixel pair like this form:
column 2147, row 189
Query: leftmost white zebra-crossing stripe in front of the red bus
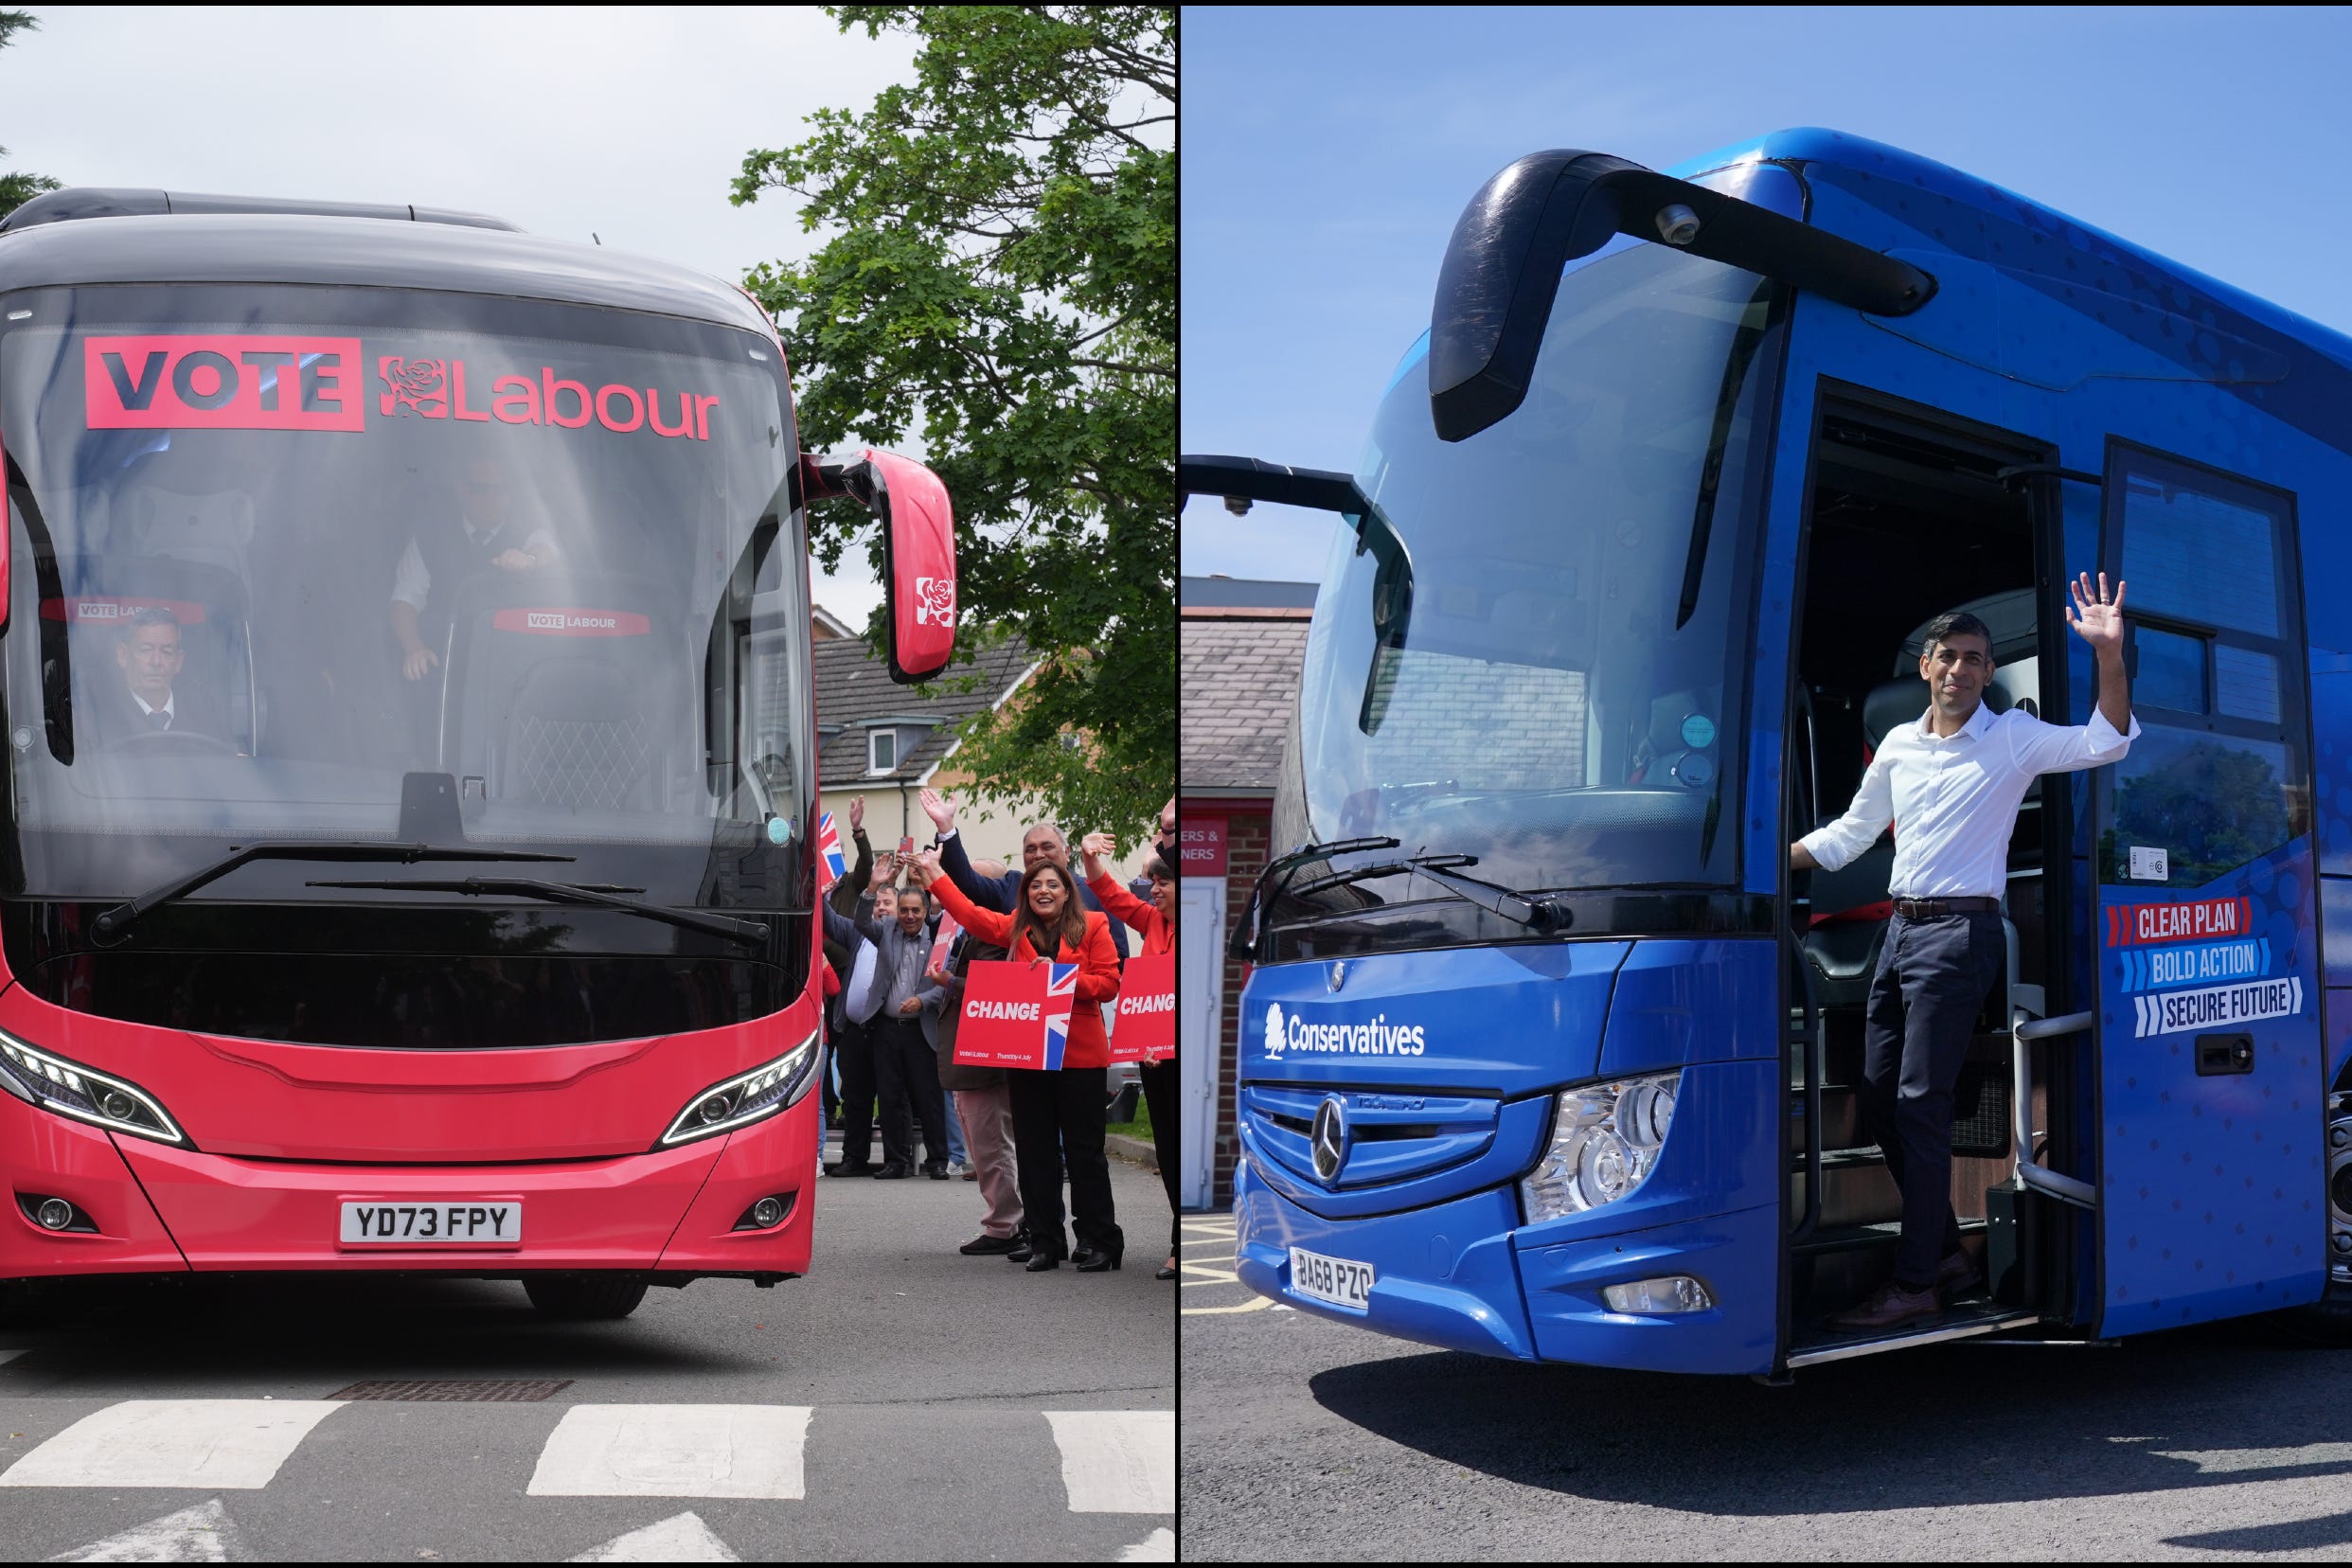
column 220, row 1445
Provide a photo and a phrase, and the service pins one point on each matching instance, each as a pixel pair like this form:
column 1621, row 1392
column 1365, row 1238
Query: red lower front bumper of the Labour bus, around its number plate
column 166, row 1209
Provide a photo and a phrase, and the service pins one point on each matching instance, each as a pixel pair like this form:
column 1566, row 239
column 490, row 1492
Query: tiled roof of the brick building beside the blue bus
column 1241, row 681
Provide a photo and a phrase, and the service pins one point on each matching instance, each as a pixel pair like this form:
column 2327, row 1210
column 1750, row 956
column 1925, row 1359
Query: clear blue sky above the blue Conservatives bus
column 1328, row 154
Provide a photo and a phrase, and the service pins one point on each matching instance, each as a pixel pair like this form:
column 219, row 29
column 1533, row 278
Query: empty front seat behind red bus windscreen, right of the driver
column 561, row 721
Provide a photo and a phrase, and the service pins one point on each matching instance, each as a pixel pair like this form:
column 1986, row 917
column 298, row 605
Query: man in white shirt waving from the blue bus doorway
column 1951, row 784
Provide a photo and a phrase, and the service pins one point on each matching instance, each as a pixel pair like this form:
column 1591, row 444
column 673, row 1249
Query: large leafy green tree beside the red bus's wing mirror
column 1005, row 283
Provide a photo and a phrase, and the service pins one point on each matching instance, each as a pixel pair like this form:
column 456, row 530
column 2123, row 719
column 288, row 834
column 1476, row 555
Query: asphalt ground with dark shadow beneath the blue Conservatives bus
column 1307, row 1438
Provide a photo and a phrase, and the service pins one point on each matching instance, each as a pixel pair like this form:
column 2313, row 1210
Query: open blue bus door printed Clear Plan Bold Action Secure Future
column 2212, row 1071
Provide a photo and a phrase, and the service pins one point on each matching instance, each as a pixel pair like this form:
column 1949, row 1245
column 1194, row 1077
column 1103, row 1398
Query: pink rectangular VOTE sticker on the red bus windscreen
column 211, row 382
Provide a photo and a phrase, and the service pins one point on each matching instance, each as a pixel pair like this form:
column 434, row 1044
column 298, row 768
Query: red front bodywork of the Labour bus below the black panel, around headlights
column 286, row 1134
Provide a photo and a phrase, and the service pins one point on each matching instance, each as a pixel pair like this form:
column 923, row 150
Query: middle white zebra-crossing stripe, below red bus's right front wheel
column 674, row 1452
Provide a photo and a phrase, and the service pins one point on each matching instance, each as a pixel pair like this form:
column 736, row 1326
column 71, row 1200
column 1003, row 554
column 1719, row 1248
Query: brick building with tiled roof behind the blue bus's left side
column 1241, row 645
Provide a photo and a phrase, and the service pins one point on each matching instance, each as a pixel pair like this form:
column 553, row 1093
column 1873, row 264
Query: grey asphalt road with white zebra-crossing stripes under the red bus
column 897, row 1405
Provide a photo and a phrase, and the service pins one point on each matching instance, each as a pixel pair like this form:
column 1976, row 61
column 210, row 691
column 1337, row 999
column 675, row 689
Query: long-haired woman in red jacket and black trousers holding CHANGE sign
column 1057, row 1115
